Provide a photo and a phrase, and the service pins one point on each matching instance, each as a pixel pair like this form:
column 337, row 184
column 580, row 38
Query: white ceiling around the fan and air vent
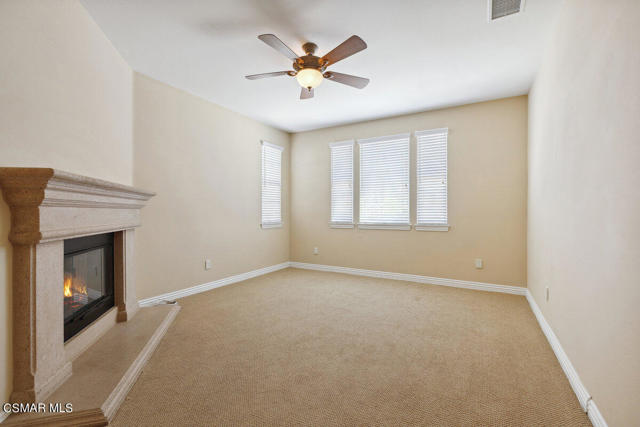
column 422, row 54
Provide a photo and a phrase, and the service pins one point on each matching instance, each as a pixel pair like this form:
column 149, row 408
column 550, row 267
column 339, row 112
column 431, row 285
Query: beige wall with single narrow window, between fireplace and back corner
column 203, row 161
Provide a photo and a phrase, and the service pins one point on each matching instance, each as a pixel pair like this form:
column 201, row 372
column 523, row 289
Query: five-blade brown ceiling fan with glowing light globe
column 310, row 70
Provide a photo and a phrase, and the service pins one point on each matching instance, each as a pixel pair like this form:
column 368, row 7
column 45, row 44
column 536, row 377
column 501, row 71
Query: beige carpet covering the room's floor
column 300, row 347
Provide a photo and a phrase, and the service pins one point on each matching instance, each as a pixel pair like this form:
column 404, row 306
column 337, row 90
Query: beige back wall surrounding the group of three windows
column 487, row 198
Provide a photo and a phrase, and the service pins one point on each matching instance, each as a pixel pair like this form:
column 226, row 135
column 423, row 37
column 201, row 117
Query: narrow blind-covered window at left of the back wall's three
column 342, row 184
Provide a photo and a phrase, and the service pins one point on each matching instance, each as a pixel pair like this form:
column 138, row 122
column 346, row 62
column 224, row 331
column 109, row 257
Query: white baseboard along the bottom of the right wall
column 586, row 402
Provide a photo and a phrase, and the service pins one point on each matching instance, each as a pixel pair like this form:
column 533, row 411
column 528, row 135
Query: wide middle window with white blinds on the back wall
column 384, row 182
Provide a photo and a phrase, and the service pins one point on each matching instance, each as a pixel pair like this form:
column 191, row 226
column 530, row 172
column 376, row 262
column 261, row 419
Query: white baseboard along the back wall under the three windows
column 479, row 286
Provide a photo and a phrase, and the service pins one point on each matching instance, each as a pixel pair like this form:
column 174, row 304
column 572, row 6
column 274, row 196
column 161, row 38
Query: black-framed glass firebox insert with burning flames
column 88, row 281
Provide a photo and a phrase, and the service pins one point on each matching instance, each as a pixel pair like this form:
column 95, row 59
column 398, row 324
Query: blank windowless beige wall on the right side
column 584, row 198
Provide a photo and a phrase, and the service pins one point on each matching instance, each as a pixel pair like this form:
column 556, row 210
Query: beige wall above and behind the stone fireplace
column 65, row 102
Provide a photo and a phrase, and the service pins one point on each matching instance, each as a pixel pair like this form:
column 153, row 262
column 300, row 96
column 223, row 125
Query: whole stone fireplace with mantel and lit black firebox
column 52, row 213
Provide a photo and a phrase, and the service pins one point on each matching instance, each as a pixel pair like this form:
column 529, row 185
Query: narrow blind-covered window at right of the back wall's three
column 431, row 177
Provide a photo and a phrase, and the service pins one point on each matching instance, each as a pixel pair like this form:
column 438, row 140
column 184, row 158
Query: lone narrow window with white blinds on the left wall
column 271, row 185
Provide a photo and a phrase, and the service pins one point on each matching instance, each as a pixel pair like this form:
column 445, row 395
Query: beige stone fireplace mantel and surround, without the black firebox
column 48, row 206
